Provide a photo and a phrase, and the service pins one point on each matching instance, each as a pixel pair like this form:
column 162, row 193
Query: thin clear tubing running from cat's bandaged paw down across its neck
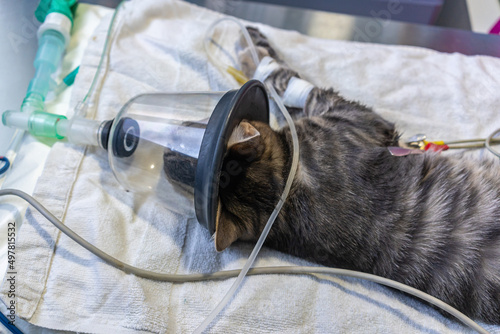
column 295, row 161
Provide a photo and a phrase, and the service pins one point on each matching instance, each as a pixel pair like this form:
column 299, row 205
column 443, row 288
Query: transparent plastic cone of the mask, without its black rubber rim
column 155, row 142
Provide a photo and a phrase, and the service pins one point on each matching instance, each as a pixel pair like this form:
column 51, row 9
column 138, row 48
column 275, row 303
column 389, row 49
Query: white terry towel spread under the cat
column 159, row 48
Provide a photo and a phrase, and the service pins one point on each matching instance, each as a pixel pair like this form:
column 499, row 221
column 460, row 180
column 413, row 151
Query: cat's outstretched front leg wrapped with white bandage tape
column 303, row 99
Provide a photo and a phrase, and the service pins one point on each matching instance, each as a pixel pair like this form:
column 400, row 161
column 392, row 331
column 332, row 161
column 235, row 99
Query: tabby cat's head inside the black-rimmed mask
column 251, row 181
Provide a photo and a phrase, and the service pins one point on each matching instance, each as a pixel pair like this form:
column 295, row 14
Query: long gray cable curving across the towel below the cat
column 233, row 273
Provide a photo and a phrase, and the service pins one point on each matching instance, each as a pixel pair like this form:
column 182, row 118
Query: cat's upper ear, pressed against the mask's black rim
column 245, row 142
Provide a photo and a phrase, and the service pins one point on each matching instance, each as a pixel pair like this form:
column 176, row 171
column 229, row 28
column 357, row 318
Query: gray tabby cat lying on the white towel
column 430, row 221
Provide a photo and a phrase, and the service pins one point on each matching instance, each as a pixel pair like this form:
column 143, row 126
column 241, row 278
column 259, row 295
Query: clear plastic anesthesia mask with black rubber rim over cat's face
column 171, row 145
